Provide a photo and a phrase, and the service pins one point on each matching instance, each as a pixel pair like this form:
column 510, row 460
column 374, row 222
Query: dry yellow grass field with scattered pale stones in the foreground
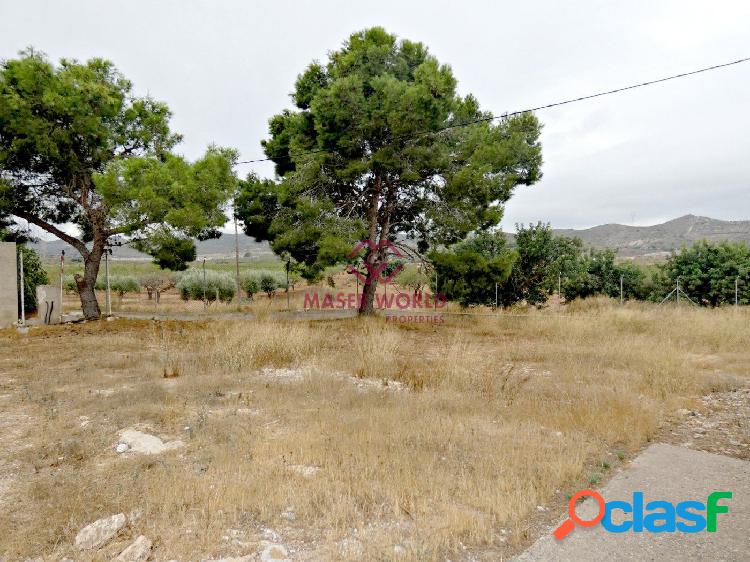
column 342, row 439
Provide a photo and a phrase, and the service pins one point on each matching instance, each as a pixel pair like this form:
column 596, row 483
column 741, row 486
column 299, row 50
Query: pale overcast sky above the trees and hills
column 640, row 157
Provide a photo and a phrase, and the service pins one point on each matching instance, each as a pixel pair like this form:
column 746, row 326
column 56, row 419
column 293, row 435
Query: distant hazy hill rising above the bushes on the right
column 660, row 238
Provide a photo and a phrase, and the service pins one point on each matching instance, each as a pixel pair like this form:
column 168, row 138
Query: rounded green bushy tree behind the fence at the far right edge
column 707, row 272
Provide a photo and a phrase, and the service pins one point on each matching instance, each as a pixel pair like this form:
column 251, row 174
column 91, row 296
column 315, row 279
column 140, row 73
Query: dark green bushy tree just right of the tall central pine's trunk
column 469, row 271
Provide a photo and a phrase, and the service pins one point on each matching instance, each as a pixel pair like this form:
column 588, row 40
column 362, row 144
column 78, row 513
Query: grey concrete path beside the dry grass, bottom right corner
column 674, row 474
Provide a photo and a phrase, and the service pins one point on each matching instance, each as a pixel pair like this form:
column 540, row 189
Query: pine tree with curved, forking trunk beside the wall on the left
column 76, row 146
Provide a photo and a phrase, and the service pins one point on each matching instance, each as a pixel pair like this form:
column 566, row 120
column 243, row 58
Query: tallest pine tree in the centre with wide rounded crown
column 376, row 147
